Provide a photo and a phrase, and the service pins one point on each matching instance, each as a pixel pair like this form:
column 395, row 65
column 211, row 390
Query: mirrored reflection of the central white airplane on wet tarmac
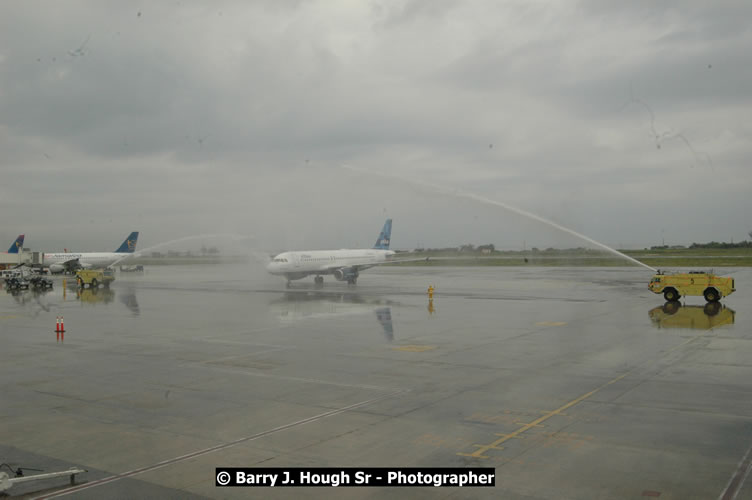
column 304, row 305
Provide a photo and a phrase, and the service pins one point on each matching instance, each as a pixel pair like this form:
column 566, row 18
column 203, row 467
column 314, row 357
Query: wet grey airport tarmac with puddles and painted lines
column 573, row 383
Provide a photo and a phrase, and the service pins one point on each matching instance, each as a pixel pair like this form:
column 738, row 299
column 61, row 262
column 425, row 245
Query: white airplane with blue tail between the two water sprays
column 344, row 265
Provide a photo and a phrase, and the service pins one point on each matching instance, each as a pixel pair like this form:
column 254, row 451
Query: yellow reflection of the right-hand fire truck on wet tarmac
column 676, row 315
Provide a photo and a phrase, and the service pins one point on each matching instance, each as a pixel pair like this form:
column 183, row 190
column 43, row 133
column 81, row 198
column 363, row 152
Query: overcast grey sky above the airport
column 630, row 122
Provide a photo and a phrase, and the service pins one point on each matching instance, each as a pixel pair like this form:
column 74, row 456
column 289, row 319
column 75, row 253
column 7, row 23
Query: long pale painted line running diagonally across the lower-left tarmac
column 212, row 449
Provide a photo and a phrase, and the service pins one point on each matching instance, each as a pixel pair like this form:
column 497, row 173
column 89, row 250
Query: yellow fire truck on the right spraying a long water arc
column 673, row 286
